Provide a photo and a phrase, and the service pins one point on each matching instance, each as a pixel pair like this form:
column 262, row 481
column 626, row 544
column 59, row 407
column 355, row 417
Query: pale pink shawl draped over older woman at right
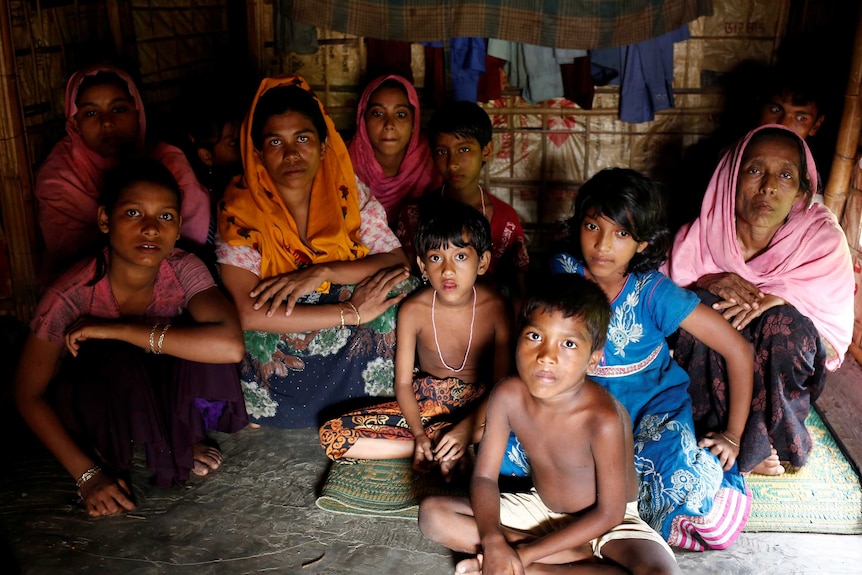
column 807, row 262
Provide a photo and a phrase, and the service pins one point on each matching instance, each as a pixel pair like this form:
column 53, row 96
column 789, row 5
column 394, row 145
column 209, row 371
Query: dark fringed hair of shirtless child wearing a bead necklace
column 444, row 222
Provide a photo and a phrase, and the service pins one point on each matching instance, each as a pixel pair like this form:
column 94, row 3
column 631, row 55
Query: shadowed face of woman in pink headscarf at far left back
column 107, row 120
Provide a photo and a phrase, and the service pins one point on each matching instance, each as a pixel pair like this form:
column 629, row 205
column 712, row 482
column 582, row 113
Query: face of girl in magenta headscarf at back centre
column 389, row 122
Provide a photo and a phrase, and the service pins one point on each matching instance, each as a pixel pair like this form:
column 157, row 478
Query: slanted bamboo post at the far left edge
column 19, row 222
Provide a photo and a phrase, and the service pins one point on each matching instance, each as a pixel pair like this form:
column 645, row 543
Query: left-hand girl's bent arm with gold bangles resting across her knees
column 216, row 336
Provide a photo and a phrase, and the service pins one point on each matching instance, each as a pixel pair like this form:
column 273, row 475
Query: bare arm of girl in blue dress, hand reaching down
column 710, row 328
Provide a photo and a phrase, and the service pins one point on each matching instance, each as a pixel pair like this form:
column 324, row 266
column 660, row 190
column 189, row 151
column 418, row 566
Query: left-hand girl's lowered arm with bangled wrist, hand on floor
column 36, row 367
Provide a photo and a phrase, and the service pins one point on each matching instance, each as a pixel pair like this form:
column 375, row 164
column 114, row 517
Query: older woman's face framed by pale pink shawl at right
column 769, row 182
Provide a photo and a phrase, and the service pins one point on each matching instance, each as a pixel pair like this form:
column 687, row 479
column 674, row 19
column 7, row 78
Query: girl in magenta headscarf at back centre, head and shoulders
column 388, row 152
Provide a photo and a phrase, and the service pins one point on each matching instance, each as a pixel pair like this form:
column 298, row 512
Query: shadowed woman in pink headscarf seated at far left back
column 105, row 122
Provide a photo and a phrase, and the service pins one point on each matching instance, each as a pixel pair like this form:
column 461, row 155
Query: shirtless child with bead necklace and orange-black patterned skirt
column 458, row 330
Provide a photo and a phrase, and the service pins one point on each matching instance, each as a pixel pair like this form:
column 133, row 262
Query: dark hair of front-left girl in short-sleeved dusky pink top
column 120, row 178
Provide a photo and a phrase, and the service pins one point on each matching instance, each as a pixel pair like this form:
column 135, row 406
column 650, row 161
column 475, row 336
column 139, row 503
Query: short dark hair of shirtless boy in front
column 574, row 296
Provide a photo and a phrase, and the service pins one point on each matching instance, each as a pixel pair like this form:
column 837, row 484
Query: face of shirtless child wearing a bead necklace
column 452, row 271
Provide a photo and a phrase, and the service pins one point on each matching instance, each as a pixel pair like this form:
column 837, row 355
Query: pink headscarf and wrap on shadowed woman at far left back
column 69, row 181
